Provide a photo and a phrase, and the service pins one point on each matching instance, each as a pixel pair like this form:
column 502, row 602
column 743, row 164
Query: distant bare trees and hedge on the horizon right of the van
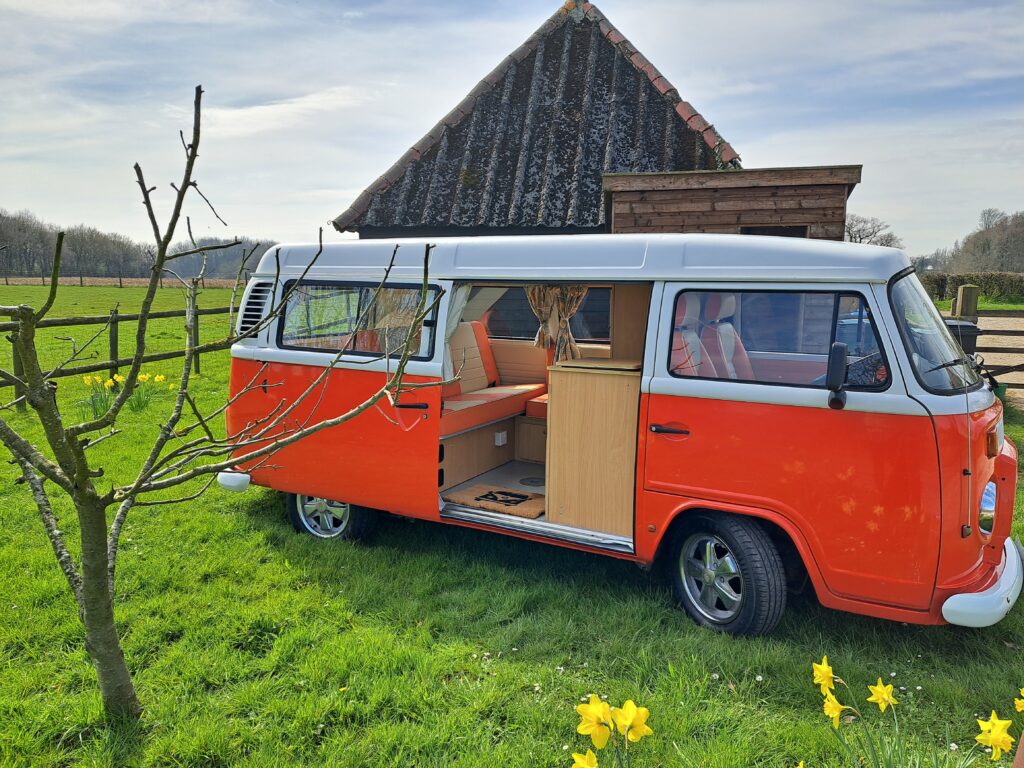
column 996, row 246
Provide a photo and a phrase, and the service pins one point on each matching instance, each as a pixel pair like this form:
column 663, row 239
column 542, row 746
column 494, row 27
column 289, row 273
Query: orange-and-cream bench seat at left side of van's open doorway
column 480, row 397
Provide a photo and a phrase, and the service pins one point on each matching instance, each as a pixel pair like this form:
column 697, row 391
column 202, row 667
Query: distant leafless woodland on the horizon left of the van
column 92, row 253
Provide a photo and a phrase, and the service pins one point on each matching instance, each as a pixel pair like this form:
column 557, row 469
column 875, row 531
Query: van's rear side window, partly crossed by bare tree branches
column 327, row 317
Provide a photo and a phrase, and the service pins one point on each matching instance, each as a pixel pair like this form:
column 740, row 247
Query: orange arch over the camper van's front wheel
column 793, row 547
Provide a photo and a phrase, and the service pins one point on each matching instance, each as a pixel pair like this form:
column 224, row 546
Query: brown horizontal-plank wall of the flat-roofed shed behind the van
column 820, row 207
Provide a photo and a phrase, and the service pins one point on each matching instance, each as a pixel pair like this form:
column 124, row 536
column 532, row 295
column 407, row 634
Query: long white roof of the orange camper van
column 594, row 259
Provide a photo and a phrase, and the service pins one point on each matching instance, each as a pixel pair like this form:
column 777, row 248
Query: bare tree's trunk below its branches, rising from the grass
column 98, row 614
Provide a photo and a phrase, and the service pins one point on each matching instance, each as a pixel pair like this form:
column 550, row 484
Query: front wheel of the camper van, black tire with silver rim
column 744, row 564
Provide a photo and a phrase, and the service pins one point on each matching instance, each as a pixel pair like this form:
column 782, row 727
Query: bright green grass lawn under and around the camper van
column 430, row 647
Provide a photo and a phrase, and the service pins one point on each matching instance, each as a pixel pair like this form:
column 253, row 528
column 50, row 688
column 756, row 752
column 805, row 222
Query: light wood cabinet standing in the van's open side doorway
column 593, row 410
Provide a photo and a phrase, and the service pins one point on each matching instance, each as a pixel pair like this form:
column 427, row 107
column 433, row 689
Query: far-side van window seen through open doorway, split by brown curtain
column 510, row 317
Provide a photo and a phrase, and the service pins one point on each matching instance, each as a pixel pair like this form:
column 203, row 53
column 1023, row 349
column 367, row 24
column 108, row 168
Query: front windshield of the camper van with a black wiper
column 938, row 362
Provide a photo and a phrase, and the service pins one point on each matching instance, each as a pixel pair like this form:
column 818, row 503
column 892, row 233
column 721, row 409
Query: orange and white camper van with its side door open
column 755, row 412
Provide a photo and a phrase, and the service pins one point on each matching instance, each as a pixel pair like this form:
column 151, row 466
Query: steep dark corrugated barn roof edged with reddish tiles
column 526, row 151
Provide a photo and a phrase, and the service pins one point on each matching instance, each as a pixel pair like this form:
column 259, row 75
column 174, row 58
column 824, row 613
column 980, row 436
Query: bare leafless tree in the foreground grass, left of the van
column 189, row 449
